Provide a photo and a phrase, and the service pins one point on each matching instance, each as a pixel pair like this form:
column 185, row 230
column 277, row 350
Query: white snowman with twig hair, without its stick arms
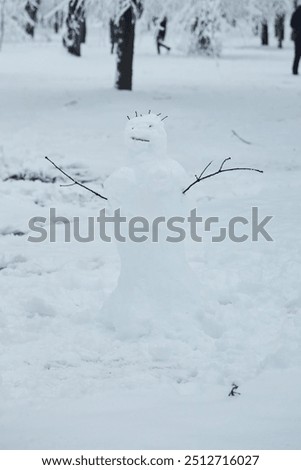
column 156, row 282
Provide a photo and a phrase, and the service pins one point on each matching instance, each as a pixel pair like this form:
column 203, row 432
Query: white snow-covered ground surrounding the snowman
column 65, row 380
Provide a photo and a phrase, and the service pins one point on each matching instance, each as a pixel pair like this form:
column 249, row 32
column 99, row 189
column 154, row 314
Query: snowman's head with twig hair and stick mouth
column 145, row 134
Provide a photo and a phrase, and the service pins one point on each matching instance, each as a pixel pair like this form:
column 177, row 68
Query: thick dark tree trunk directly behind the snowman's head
column 125, row 50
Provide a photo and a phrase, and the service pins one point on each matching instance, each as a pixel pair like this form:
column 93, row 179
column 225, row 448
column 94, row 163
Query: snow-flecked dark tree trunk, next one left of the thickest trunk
column 76, row 27
